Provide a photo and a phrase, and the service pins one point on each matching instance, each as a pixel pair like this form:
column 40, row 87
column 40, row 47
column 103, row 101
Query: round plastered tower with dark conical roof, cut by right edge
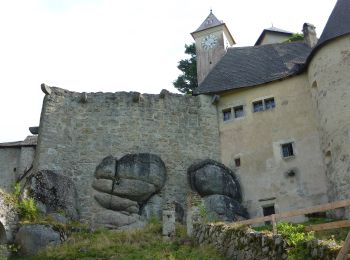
column 329, row 77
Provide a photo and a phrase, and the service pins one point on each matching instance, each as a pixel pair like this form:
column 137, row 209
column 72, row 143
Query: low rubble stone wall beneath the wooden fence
column 244, row 243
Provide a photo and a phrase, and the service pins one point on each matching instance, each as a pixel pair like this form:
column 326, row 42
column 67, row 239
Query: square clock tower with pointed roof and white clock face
column 211, row 38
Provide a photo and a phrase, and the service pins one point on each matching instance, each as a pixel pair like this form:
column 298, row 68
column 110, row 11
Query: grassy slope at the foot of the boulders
column 147, row 243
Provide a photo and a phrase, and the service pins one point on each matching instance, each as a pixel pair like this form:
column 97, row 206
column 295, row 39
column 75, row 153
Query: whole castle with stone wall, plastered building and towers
column 276, row 113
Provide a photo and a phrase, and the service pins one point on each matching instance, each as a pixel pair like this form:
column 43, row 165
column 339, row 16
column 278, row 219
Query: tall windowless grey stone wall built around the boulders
column 78, row 130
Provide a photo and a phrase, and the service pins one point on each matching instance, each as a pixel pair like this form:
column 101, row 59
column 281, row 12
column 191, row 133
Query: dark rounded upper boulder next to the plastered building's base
column 209, row 177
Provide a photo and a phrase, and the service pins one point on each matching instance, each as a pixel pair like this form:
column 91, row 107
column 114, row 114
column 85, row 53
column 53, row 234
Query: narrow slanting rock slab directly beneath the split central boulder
column 117, row 203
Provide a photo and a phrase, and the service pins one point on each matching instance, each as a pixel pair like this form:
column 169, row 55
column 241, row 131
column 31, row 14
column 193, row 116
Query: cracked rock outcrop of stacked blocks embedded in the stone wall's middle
column 127, row 188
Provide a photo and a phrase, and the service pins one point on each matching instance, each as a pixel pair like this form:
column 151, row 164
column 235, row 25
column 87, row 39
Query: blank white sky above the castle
column 109, row 46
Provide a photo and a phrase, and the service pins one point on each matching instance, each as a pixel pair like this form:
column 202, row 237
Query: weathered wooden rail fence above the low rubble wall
column 320, row 208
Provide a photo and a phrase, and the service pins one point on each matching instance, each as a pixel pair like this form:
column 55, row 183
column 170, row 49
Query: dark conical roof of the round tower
column 338, row 23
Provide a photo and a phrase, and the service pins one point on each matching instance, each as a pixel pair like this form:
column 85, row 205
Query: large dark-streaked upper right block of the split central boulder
column 143, row 166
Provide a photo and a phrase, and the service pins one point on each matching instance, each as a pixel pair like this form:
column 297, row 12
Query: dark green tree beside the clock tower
column 187, row 81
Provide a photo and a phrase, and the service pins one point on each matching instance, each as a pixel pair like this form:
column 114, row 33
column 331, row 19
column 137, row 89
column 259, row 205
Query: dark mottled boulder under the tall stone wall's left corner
column 56, row 191
